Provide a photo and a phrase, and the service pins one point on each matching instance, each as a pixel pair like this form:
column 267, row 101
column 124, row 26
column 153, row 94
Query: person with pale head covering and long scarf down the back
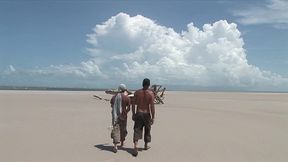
column 120, row 104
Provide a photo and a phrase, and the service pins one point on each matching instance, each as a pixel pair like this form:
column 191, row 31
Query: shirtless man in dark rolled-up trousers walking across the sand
column 144, row 114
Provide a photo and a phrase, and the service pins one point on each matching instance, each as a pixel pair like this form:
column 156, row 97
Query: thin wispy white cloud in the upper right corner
column 275, row 13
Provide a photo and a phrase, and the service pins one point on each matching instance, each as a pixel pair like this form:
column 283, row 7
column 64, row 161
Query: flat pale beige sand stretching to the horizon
column 57, row 126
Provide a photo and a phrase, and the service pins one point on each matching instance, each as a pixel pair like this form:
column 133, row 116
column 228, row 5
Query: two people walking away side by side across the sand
column 143, row 113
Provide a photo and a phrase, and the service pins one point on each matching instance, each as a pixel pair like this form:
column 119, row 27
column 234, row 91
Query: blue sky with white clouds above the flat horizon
column 182, row 44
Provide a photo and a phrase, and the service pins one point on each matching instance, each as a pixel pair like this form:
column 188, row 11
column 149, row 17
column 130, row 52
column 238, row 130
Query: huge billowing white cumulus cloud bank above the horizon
column 128, row 48
